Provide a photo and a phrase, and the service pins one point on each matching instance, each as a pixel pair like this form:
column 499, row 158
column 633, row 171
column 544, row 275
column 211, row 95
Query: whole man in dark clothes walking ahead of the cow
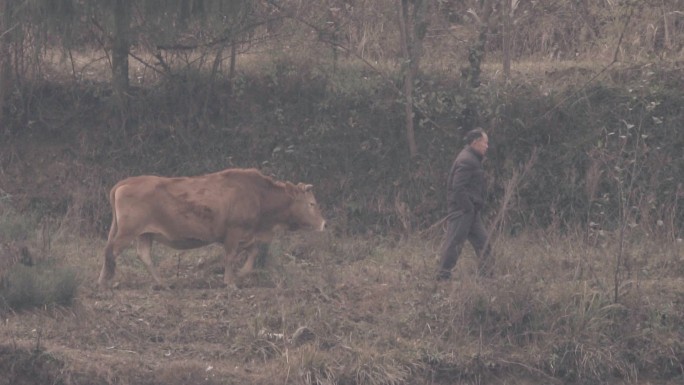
column 465, row 198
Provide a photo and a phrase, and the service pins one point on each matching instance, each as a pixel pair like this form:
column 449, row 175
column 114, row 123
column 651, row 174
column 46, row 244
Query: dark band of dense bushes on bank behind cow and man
column 606, row 153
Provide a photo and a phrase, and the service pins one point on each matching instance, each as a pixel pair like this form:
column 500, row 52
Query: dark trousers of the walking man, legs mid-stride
column 462, row 226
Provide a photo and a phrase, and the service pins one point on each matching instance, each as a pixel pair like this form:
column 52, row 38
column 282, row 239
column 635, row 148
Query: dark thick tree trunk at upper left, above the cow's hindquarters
column 120, row 49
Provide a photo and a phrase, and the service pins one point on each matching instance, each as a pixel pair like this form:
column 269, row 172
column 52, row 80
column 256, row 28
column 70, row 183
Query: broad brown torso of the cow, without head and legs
column 200, row 207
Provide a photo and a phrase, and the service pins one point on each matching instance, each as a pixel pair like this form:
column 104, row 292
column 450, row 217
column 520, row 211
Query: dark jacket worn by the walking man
column 466, row 183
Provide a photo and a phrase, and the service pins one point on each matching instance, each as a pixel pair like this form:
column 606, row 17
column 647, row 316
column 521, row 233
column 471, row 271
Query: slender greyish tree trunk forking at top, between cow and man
column 412, row 30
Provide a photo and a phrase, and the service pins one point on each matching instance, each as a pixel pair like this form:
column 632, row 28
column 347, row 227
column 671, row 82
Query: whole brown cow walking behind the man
column 233, row 207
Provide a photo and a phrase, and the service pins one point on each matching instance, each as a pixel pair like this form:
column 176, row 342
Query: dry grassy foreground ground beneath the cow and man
column 326, row 310
